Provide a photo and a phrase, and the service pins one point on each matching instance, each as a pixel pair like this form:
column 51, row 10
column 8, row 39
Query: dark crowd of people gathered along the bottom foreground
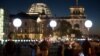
column 72, row 48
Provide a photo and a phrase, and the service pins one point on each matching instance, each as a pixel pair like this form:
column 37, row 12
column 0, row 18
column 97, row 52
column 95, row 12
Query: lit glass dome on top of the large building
column 39, row 8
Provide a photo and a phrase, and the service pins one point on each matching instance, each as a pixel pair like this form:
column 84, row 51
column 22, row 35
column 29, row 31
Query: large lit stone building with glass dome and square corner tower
column 31, row 29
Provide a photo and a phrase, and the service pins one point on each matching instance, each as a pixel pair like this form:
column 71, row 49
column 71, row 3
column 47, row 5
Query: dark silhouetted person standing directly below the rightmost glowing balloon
column 86, row 48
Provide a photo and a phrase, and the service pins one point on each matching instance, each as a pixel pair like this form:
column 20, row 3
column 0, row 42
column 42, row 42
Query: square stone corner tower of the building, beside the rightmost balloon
column 78, row 18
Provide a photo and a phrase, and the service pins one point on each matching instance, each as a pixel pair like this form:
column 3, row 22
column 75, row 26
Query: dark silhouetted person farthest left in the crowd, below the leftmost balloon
column 10, row 47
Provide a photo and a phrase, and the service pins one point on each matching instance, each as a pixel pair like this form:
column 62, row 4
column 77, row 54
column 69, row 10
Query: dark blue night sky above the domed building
column 58, row 7
